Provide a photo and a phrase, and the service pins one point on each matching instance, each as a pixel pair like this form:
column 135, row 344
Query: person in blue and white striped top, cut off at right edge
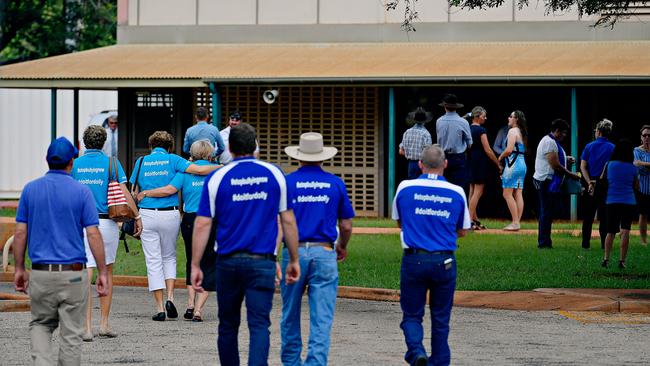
column 642, row 163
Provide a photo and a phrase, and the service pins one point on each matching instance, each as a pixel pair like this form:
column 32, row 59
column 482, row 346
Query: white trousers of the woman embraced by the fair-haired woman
column 159, row 234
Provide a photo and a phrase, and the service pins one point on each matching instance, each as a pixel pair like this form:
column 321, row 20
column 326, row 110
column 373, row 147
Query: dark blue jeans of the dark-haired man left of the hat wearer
column 254, row 280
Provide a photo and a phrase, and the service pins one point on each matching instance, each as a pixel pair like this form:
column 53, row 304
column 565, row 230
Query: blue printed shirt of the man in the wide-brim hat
column 318, row 199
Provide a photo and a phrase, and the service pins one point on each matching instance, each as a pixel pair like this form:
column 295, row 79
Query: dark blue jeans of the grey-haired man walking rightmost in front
column 422, row 272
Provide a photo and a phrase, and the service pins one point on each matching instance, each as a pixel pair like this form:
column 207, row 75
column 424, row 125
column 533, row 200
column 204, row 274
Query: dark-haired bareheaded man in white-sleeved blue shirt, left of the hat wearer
column 245, row 197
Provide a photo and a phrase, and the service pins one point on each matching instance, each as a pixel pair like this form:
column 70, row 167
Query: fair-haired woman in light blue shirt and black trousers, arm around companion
column 191, row 188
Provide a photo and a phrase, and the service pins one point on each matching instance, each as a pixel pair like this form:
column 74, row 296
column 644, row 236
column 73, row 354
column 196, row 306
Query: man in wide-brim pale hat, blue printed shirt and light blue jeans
column 324, row 216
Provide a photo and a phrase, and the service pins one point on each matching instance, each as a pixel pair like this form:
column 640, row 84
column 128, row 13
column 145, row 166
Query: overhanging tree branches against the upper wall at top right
column 608, row 11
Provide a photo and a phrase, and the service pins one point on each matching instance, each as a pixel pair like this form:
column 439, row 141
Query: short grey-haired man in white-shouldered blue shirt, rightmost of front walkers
column 432, row 214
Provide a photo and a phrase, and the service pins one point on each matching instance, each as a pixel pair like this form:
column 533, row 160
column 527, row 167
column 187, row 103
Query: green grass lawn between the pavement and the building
column 485, row 262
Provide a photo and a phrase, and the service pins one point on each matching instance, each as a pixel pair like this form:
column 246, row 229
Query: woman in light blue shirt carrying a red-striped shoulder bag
column 92, row 170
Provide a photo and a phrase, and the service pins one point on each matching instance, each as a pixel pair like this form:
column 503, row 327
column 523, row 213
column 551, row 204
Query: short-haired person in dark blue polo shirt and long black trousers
column 592, row 162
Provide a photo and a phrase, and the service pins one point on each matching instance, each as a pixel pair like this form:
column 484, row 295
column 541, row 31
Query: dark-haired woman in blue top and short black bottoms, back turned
column 621, row 182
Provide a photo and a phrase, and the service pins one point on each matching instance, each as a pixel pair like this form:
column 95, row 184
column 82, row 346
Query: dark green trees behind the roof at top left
column 31, row 29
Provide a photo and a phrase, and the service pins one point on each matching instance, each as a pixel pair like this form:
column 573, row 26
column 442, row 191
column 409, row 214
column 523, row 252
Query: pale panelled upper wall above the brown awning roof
column 228, row 12
